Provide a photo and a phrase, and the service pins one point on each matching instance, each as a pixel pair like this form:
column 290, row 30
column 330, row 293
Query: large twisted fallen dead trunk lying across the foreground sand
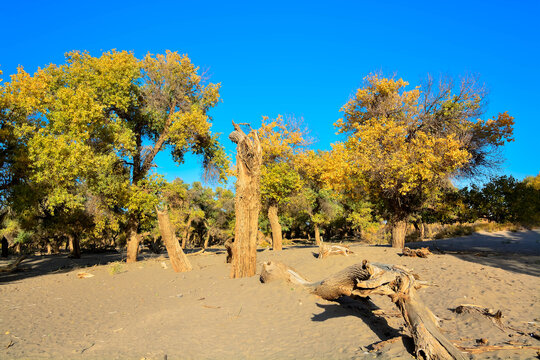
column 365, row 279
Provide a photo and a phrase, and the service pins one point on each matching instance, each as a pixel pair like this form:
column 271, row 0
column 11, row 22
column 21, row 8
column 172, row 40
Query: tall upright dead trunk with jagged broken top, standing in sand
column 247, row 202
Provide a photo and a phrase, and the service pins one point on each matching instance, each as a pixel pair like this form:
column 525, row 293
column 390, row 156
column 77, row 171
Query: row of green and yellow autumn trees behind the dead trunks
column 78, row 143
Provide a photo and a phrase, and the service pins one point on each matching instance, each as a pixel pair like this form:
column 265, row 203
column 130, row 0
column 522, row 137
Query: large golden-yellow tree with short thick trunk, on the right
column 404, row 145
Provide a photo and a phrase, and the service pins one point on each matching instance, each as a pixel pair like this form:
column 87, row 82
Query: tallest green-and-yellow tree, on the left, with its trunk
column 102, row 120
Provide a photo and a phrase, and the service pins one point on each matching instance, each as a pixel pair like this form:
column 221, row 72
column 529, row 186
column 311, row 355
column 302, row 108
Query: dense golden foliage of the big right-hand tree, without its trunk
column 389, row 154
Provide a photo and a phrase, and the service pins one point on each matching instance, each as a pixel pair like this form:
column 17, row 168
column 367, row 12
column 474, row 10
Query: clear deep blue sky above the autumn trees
column 302, row 58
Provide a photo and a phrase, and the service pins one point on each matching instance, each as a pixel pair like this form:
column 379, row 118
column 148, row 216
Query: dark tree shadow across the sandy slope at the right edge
column 513, row 251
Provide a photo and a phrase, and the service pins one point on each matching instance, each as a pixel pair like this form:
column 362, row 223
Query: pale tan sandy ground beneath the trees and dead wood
column 147, row 311
